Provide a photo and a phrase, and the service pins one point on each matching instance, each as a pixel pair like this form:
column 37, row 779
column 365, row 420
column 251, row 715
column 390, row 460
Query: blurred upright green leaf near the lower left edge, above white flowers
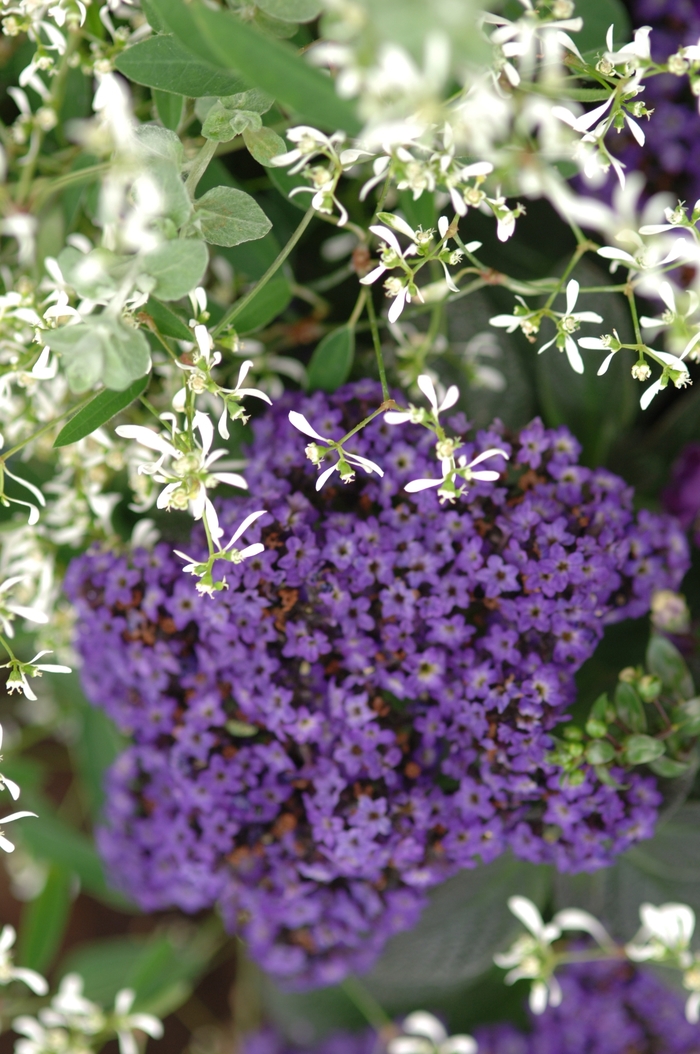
column 45, row 921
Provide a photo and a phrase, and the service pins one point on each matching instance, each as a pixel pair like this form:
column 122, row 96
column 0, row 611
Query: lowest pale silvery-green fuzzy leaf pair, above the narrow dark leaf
column 102, row 349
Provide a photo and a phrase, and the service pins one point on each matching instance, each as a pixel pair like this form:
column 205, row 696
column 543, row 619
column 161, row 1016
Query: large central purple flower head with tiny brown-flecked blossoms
column 401, row 665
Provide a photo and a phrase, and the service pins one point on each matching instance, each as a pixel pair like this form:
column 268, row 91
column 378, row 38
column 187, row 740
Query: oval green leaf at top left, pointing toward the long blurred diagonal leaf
column 165, row 64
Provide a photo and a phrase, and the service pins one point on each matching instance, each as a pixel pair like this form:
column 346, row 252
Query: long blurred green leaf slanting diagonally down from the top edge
column 220, row 37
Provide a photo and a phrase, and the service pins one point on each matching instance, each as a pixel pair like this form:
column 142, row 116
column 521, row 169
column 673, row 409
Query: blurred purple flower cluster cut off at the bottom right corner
column 609, row 1008
